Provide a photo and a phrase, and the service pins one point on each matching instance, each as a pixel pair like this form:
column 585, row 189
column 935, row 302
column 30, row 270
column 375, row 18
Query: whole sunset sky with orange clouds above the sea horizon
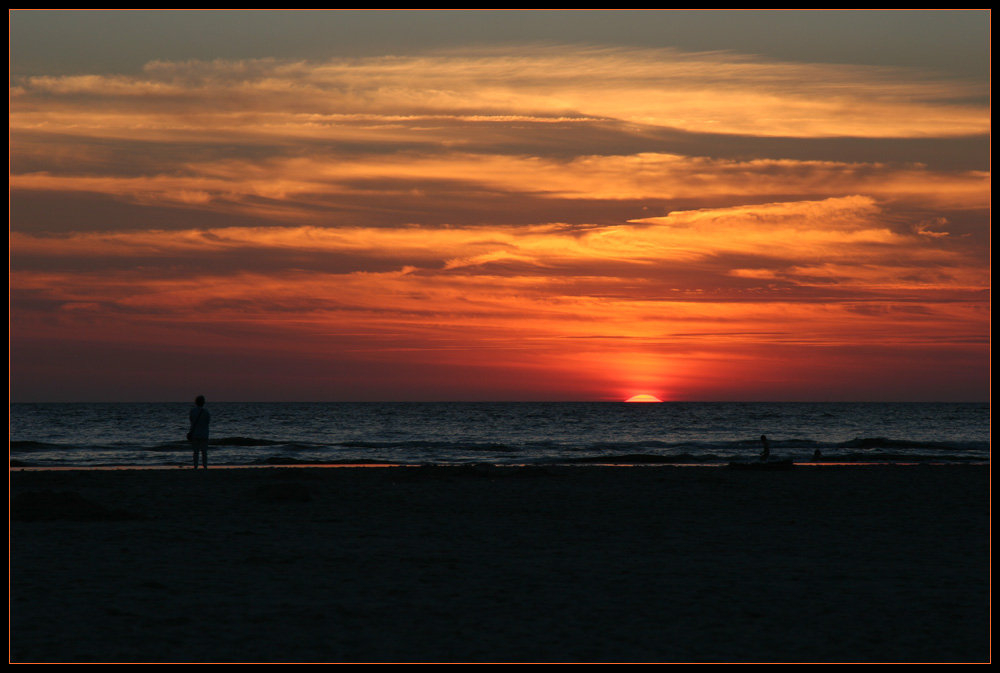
column 518, row 205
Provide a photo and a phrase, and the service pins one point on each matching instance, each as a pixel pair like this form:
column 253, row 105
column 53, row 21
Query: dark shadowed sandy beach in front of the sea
column 479, row 564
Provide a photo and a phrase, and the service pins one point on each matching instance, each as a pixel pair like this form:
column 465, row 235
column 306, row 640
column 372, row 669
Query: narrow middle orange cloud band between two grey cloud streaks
column 302, row 189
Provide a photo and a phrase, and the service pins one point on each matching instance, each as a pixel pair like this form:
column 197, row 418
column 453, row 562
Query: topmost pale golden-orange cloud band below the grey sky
column 699, row 92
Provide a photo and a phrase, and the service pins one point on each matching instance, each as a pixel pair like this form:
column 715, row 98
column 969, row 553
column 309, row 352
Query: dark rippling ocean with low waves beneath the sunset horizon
column 500, row 433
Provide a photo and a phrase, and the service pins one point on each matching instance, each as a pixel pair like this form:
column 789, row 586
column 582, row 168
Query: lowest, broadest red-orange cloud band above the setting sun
column 657, row 279
